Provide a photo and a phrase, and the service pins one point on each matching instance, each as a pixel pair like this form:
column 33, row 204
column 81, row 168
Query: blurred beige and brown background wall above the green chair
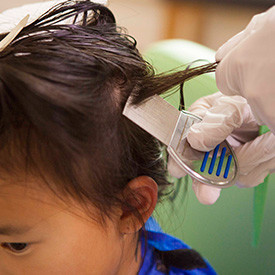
column 208, row 22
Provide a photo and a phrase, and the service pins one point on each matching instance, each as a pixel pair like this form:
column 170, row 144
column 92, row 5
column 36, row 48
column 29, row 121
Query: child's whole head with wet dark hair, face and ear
column 72, row 168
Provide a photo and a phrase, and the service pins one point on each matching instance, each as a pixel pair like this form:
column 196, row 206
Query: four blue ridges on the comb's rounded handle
column 213, row 161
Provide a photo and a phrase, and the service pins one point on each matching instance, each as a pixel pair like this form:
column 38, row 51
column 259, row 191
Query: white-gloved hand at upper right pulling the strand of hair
column 247, row 67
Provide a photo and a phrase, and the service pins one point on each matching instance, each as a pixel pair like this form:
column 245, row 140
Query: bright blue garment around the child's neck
column 157, row 239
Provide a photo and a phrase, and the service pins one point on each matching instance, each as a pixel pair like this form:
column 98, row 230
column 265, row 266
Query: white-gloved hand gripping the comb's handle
column 229, row 117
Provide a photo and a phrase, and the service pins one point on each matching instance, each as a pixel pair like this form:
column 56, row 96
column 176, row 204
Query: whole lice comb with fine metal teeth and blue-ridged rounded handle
column 218, row 167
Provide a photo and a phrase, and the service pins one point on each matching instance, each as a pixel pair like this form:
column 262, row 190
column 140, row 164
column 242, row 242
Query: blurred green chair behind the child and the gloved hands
column 222, row 232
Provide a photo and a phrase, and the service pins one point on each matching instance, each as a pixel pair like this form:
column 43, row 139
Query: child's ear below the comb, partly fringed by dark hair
column 142, row 194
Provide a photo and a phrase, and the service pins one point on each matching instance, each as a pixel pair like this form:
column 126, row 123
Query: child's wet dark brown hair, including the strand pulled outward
column 63, row 87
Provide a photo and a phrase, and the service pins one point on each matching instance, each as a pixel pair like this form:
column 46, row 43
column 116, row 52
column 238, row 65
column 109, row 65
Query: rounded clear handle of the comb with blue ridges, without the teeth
column 218, row 167
